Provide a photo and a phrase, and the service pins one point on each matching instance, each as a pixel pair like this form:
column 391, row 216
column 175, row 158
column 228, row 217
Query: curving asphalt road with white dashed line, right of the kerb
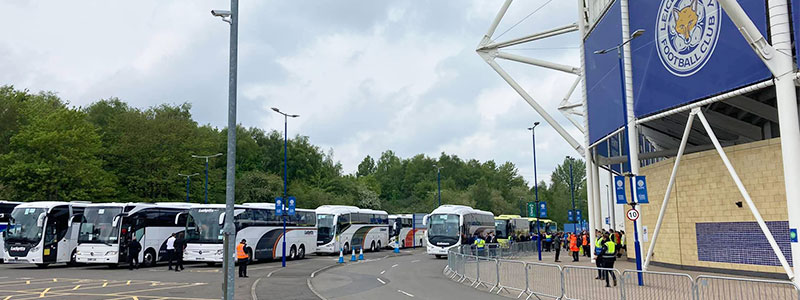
column 415, row 275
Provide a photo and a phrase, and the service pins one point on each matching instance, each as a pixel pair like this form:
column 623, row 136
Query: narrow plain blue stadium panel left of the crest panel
column 604, row 92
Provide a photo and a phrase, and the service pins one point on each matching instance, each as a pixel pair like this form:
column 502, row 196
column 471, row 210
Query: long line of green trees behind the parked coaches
column 111, row 151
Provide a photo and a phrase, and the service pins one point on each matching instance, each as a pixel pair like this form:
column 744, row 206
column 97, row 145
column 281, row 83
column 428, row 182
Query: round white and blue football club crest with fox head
column 686, row 34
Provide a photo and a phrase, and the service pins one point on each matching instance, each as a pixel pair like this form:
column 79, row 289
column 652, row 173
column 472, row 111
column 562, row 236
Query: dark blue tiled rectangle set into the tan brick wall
column 741, row 243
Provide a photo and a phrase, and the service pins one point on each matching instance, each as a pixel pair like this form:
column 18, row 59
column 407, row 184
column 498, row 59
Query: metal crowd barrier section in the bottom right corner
column 724, row 288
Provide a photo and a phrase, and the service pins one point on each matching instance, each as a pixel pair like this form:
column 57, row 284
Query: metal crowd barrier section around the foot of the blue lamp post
column 656, row 285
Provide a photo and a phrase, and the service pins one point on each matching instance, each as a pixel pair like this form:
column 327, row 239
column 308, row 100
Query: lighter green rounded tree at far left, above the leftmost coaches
column 55, row 157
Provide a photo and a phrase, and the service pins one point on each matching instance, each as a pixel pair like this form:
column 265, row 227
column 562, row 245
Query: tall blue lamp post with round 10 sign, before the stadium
column 637, row 246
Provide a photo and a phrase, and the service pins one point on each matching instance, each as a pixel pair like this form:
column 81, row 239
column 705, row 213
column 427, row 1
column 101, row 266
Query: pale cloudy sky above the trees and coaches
column 365, row 76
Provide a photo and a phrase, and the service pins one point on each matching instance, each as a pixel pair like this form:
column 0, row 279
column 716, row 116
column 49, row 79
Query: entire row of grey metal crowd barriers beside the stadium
column 494, row 270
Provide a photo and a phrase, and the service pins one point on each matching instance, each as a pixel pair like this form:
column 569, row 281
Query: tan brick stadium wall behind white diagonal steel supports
column 704, row 193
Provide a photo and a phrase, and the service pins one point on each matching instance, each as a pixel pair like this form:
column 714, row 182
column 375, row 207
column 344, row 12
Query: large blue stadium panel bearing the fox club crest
column 715, row 57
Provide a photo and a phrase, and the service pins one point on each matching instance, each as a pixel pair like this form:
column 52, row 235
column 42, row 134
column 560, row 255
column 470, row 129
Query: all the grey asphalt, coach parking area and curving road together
column 382, row 275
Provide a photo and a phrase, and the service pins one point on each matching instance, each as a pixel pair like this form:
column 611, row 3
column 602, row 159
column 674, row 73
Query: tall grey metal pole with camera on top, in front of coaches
column 229, row 231
